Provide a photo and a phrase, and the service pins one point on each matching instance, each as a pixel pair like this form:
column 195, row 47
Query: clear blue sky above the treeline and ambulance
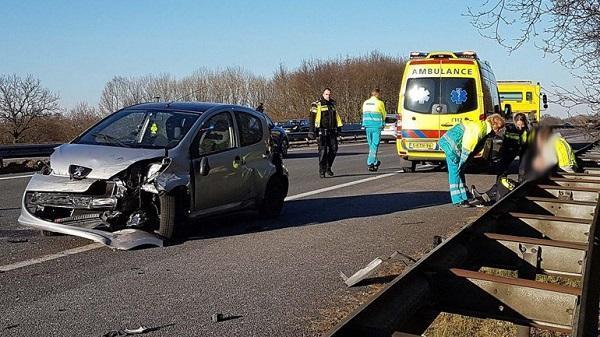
column 75, row 47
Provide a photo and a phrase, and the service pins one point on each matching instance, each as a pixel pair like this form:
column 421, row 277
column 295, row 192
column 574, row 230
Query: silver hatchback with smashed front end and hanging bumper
column 136, row 175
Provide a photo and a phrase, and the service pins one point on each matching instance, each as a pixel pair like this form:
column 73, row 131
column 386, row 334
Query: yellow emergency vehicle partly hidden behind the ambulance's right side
column 525, row 97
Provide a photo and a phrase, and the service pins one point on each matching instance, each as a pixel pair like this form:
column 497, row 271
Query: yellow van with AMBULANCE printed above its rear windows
column 438, row 91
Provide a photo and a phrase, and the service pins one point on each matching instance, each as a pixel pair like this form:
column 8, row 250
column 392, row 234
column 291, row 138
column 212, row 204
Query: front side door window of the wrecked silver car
column 216, row 134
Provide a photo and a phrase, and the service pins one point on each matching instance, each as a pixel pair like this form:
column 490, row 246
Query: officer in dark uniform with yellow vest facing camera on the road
column 325, row 125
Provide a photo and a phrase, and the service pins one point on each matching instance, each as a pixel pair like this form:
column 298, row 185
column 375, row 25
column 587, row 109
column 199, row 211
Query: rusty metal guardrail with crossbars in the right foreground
column 547, row 226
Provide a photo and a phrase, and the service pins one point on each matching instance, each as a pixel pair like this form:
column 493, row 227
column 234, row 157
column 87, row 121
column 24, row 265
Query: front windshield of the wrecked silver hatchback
column 140, row 128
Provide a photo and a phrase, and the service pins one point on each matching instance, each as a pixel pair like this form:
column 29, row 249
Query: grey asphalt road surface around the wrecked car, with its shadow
column 272, row 278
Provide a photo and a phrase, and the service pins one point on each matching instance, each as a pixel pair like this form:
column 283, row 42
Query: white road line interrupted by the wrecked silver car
column 93, row 246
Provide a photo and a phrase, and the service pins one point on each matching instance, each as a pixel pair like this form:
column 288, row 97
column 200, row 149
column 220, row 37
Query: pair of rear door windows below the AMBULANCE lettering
column 457, row 95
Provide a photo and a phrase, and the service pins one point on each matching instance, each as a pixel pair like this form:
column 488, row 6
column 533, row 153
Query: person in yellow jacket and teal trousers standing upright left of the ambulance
column 373, row 122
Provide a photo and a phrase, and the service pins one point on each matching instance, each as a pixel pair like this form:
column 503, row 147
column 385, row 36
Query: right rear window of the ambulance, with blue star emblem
column 459, row 94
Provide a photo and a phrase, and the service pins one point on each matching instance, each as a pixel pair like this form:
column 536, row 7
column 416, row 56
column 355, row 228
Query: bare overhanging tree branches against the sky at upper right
column 567, row 29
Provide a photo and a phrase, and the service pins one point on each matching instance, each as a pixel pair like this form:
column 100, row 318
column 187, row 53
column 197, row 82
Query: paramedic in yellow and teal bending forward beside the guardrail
column 458, row 144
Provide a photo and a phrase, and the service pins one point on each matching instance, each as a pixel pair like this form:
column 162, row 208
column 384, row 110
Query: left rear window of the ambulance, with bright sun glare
column 421, row 94
